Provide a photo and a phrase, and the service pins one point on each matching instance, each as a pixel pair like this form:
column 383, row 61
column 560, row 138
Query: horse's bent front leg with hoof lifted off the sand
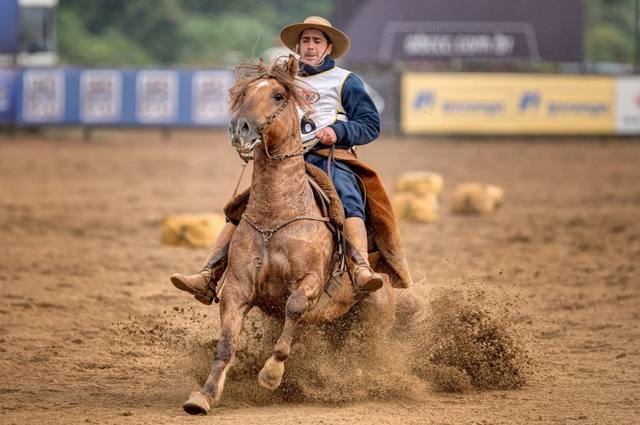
column 298, row 302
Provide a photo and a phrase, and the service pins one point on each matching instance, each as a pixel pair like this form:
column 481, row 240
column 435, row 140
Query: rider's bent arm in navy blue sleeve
column 364, row 121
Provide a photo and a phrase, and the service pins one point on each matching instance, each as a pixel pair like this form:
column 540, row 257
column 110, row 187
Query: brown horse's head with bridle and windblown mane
column 263, row 101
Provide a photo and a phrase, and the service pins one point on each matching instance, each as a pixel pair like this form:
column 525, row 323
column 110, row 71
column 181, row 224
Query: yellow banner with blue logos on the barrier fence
column 507, row 104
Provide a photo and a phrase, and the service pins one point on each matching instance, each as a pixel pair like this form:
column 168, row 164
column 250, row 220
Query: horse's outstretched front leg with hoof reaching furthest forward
column 234, row 307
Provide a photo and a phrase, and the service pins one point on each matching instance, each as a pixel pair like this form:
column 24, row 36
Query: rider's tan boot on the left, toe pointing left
column 202, row 285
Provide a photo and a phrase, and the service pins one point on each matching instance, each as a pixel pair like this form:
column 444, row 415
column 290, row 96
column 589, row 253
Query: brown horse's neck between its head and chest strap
column 279, row 189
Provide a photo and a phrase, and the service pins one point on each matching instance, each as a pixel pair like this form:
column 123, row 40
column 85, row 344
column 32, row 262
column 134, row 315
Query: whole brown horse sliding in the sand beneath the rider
column 281, row 253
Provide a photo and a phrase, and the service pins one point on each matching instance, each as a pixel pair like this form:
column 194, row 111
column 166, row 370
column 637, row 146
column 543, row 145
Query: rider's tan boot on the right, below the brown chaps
column 363, row 276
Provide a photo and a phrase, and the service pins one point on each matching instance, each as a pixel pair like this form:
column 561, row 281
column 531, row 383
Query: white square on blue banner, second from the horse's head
column 157, row 96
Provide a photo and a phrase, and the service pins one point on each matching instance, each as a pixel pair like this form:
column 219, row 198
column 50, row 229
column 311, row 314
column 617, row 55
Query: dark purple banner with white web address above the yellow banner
column 444, row 29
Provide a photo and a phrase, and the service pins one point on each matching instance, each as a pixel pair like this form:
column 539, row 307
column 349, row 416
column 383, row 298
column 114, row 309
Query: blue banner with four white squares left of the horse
column 110, row 97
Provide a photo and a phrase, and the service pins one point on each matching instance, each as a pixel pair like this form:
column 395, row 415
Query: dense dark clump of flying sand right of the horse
column 471, row 344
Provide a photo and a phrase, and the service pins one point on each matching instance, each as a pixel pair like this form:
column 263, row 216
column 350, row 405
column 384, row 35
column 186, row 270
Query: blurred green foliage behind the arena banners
column 217, row 32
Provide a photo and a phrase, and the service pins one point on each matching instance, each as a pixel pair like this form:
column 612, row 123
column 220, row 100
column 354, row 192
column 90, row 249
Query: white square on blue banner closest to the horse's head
column 210, row 94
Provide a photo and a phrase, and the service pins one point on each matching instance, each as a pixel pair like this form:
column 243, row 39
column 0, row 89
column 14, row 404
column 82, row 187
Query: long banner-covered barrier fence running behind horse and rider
column 413, row 103
